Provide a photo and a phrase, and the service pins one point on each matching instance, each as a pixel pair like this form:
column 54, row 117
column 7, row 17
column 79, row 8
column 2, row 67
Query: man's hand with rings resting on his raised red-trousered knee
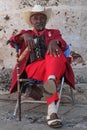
column 53, row 48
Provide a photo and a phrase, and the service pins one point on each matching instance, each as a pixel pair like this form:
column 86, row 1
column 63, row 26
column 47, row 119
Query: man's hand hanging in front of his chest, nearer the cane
column 29, row 41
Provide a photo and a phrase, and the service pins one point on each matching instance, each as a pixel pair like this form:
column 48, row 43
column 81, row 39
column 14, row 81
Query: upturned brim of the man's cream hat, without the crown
column 28, row 14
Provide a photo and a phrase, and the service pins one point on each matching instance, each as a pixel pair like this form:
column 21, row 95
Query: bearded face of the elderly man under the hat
column 38, row 21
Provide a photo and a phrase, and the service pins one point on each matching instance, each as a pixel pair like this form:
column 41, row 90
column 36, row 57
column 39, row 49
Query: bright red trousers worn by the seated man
column 43, row 68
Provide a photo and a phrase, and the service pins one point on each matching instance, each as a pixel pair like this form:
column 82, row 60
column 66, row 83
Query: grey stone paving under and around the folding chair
column 34, row 116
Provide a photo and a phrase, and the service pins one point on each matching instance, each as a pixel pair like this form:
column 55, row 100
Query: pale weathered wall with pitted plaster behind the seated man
column 69, row 16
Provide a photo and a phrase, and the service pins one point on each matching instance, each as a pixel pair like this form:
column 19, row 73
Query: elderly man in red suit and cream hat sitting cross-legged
column 45, row 60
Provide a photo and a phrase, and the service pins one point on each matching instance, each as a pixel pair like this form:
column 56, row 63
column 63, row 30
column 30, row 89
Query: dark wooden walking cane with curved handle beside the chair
column 18, row 76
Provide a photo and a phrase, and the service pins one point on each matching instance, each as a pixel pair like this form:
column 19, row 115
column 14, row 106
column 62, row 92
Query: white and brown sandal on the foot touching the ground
column 53, row 121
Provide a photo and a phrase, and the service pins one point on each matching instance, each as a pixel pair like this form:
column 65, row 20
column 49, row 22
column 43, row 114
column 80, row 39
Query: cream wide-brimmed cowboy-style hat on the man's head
column 35, row 10
